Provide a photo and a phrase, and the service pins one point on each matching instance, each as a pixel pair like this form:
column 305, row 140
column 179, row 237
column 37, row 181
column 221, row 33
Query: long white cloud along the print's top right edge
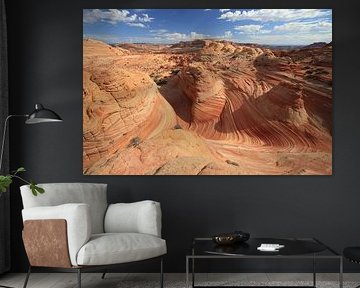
column 266, row 15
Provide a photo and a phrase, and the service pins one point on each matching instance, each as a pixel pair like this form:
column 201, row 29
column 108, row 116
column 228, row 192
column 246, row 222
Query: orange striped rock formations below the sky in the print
column 206, row 107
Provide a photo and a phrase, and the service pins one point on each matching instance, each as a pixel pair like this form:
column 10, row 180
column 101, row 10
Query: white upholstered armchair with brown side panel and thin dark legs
column 71, row 227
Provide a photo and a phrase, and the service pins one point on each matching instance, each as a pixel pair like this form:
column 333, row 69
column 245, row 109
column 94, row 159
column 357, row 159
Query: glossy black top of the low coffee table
column 292, row 247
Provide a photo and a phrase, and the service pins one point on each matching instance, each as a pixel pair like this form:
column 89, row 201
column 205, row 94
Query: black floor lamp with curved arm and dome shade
column 39, row 115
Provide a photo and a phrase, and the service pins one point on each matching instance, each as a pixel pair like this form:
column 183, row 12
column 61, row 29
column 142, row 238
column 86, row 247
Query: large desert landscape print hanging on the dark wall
column 207, row 92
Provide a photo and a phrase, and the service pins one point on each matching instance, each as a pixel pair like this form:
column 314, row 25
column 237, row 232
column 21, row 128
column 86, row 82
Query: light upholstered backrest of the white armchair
column 61, row 193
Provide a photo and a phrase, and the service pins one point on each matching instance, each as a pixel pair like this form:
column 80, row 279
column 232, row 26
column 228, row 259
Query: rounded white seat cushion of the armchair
column 114, row 248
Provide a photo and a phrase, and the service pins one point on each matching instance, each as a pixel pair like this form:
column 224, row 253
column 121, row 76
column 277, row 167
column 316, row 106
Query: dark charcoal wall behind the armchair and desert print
column 46, row 66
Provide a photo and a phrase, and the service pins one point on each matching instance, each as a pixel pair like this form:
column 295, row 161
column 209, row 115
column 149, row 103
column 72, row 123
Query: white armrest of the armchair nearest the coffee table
column 138, row 217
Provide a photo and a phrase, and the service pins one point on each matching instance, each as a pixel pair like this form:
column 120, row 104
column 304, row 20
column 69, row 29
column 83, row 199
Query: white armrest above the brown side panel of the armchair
column 78, row 223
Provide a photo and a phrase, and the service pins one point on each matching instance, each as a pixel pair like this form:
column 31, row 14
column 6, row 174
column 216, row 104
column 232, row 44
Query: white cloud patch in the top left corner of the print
column 113, row 16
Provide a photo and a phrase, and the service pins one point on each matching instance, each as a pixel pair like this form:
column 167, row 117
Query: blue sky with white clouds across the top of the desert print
column 262, row 26
